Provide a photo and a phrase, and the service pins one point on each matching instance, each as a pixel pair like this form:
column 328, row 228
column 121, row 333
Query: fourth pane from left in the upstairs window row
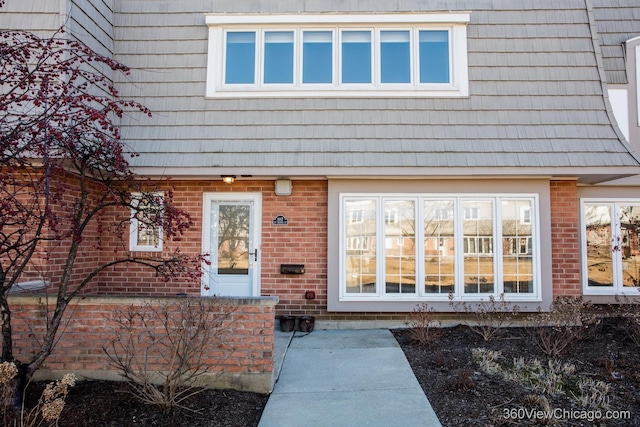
column 356, row 57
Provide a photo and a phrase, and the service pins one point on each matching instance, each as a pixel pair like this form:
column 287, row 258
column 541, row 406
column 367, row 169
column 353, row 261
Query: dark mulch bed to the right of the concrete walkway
column 462, row 395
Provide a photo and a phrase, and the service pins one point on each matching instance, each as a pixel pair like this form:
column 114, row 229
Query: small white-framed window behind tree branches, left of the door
column 145, row 230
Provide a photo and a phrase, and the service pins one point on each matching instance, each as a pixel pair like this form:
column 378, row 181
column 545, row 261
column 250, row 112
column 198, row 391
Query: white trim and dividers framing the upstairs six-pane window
column 456, row 23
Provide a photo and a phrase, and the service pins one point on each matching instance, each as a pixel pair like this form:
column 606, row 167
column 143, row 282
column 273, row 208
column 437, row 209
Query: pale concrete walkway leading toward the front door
column 345, row 378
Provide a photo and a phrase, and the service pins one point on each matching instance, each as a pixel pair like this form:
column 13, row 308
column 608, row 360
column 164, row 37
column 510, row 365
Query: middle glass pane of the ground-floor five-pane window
column 439, row 248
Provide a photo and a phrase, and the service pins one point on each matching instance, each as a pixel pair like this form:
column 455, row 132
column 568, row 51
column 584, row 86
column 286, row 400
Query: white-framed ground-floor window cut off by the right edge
column 610, row 246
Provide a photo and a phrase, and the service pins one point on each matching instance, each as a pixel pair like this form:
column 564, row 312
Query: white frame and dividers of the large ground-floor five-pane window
column 459, row 294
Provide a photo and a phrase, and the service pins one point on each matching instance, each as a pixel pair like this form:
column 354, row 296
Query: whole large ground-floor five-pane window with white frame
column 425, row 247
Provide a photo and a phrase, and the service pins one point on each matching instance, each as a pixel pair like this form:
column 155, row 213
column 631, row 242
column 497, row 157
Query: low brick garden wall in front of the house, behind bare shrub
column 241, row 358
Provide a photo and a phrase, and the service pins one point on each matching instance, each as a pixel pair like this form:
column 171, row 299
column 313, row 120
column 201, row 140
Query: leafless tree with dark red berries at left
column 65, row 178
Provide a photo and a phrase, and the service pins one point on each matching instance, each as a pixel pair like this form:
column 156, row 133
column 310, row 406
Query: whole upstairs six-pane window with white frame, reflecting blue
column 417, row 55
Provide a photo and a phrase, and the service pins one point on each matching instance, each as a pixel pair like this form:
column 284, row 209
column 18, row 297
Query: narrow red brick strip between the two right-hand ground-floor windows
column 565, row 244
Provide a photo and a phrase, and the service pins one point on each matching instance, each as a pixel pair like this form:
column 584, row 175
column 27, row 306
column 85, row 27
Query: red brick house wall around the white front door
column 302, row 241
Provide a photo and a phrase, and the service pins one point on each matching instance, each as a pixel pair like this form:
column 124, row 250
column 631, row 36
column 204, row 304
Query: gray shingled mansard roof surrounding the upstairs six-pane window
column 535, row 101
